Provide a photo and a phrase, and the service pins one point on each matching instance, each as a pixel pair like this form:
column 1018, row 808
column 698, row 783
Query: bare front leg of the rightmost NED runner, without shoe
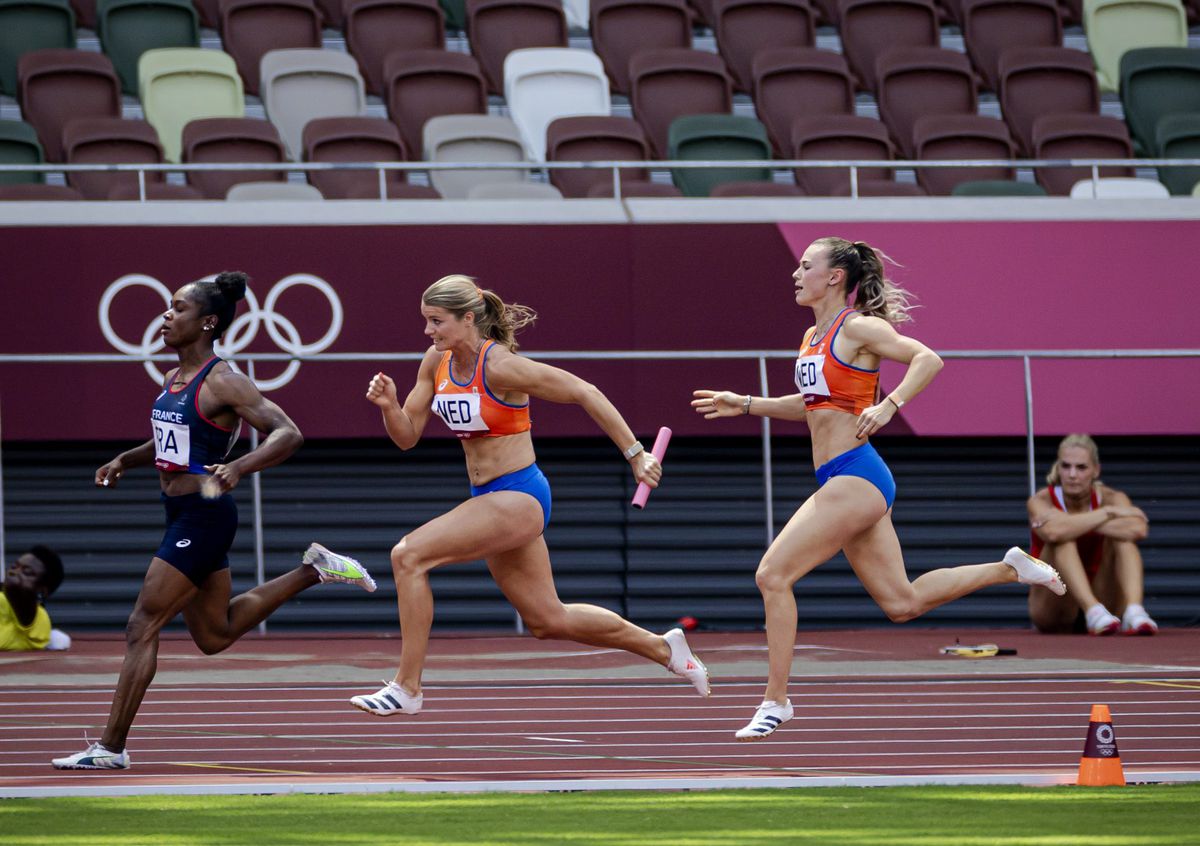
column 814, row 535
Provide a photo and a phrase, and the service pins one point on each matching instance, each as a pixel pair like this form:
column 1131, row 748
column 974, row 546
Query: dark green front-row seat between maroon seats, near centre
column 713, row 137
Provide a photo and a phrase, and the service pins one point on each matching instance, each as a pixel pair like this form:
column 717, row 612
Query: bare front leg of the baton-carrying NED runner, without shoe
column 478, row 529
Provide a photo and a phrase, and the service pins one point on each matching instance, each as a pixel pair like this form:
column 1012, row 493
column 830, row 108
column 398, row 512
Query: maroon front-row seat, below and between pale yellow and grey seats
column 245, row 141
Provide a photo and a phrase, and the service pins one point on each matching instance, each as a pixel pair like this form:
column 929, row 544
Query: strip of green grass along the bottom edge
column 1141, row 815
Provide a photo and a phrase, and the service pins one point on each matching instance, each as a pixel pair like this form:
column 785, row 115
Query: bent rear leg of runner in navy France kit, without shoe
column 217, row 622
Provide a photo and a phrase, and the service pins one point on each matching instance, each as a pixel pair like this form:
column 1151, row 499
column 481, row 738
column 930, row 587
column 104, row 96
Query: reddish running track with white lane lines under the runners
column 971, row 722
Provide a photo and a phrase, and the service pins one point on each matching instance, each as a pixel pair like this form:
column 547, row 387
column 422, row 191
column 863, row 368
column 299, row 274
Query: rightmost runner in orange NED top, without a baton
column 837, row 375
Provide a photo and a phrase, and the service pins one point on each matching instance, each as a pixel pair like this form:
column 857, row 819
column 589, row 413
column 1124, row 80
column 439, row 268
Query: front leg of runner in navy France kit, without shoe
column 165, row 592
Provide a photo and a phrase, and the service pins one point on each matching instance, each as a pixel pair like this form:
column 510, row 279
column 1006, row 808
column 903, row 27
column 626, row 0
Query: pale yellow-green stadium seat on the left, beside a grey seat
column 178, row 86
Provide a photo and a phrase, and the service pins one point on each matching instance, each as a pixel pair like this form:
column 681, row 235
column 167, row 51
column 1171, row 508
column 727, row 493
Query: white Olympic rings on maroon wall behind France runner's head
column 242, row 332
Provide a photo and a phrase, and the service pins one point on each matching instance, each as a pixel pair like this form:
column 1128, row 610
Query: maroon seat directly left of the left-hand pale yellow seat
column 57, row 86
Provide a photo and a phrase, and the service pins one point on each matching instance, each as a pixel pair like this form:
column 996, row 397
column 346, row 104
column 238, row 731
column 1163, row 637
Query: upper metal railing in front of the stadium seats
column 383, row 169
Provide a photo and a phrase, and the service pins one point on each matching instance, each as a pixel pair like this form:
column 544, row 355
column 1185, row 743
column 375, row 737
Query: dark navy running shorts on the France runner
column 200, row 533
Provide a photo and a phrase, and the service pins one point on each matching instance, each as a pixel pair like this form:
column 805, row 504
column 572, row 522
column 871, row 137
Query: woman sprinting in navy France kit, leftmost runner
column 196, row 422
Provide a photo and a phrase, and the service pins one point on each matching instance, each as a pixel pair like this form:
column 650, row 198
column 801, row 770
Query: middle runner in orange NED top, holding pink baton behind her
column 475, row 381
